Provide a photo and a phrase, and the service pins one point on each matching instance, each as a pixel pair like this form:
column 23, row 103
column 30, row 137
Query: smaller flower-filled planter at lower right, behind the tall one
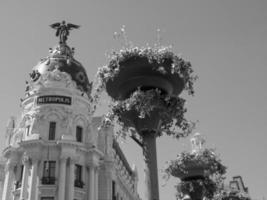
column 208, row 182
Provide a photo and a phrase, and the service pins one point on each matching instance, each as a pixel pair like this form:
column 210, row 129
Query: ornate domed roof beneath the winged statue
column 61, row 58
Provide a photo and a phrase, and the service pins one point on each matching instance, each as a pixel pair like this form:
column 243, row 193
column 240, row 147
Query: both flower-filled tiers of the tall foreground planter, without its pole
column 144, row 84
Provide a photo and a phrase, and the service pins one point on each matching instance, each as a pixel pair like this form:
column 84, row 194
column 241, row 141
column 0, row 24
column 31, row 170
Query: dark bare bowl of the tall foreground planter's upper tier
column 138, row 72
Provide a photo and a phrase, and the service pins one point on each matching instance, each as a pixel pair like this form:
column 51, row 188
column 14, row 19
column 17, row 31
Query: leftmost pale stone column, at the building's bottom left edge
column 9, row 180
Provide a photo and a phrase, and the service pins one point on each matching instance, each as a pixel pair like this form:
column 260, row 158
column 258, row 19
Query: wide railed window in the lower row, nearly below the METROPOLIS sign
column 49, row 173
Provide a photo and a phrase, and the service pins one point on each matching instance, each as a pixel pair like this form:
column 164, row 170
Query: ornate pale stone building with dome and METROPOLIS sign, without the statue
column 54, row 150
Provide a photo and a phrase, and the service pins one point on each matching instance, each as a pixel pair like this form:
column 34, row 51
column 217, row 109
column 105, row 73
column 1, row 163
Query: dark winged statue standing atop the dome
column 63, row 30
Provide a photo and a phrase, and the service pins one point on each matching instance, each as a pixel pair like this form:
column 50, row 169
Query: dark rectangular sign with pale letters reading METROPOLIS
column 54, row 99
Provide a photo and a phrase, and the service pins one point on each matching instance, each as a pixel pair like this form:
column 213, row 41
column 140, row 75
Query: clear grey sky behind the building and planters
column 224, row 40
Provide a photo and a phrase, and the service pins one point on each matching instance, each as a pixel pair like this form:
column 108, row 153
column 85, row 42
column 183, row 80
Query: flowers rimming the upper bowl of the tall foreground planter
column 153, row 55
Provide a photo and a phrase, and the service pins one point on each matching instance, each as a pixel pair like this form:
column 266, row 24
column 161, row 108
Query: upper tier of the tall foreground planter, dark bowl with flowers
column 134, row 68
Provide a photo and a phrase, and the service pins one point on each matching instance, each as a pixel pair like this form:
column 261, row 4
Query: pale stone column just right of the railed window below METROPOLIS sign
column 62, row 179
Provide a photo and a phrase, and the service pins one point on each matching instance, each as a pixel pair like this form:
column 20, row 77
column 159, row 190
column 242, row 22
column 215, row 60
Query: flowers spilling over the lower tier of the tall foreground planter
column 170, row 111
